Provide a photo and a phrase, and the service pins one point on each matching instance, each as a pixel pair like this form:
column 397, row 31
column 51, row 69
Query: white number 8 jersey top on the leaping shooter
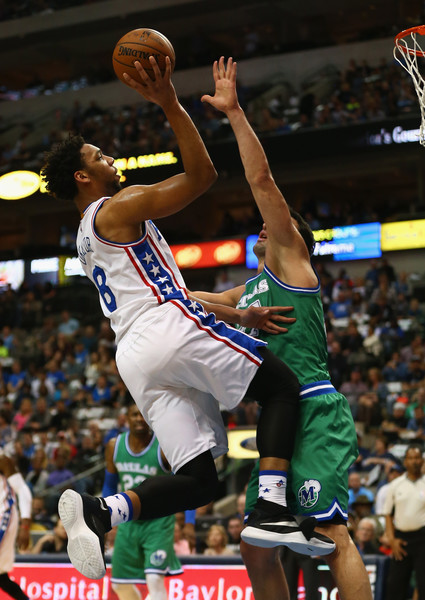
column 133, row 278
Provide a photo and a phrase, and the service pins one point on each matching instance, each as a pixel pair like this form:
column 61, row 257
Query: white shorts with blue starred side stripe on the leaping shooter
column 178, row 366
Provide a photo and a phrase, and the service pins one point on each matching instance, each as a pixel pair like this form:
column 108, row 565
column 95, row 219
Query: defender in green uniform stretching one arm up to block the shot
column 326, row 440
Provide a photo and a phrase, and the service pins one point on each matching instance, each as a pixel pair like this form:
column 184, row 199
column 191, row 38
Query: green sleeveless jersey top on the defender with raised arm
column 304, row 347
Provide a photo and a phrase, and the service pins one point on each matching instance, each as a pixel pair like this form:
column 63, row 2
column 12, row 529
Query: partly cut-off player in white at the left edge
column 15, row 524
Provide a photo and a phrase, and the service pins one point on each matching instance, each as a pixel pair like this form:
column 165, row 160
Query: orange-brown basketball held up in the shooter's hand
column 140, row 44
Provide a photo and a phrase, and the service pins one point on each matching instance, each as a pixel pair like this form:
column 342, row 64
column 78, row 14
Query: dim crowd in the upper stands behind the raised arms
column 361, row 93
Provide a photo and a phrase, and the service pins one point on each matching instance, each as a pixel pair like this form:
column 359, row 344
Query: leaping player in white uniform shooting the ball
column 176, row 360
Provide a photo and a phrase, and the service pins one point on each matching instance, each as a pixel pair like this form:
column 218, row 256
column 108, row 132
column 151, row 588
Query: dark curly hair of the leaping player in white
column 60, row 164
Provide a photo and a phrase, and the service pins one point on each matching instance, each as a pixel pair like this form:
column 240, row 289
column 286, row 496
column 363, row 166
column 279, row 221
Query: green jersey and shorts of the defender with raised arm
column 326, row 443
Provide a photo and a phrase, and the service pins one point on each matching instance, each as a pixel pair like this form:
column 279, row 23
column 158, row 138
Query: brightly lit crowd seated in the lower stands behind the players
column 61, row 397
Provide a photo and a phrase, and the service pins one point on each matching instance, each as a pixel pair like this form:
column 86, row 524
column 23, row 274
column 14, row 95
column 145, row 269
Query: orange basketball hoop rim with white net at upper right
column 407, row 50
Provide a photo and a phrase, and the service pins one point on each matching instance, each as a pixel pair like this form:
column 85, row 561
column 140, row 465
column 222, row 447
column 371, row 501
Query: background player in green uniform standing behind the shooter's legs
column 143, row 550
